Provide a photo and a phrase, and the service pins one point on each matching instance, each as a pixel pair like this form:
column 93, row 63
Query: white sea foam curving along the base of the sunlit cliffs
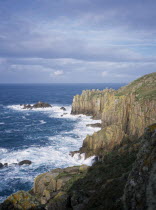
column 57, row 152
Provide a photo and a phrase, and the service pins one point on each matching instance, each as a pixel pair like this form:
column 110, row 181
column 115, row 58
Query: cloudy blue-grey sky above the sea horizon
column 76, row 41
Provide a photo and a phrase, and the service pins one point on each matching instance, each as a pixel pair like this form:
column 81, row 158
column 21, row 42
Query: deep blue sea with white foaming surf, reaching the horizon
column 44, row 136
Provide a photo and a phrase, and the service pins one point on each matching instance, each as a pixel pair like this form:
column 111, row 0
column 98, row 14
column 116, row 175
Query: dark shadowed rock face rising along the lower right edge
column 140, row 189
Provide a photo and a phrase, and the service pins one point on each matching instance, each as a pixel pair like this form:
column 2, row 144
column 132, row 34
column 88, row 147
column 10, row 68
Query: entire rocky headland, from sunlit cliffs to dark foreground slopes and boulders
column 124, row 177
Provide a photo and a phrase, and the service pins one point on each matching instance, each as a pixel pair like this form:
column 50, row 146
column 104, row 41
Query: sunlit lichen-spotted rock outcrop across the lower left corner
column 50, row 191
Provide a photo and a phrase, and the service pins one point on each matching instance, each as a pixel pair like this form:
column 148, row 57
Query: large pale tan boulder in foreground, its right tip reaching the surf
column 48, row 185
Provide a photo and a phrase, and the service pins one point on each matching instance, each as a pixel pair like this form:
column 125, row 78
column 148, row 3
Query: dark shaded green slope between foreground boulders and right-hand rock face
column 104, row 182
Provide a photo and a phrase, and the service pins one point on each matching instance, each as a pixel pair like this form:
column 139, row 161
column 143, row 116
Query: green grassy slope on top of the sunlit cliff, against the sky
column 144, row 87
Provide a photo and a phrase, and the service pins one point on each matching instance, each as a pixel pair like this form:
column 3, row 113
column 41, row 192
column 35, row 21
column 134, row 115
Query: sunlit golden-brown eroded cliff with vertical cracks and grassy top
column 124, row 113
